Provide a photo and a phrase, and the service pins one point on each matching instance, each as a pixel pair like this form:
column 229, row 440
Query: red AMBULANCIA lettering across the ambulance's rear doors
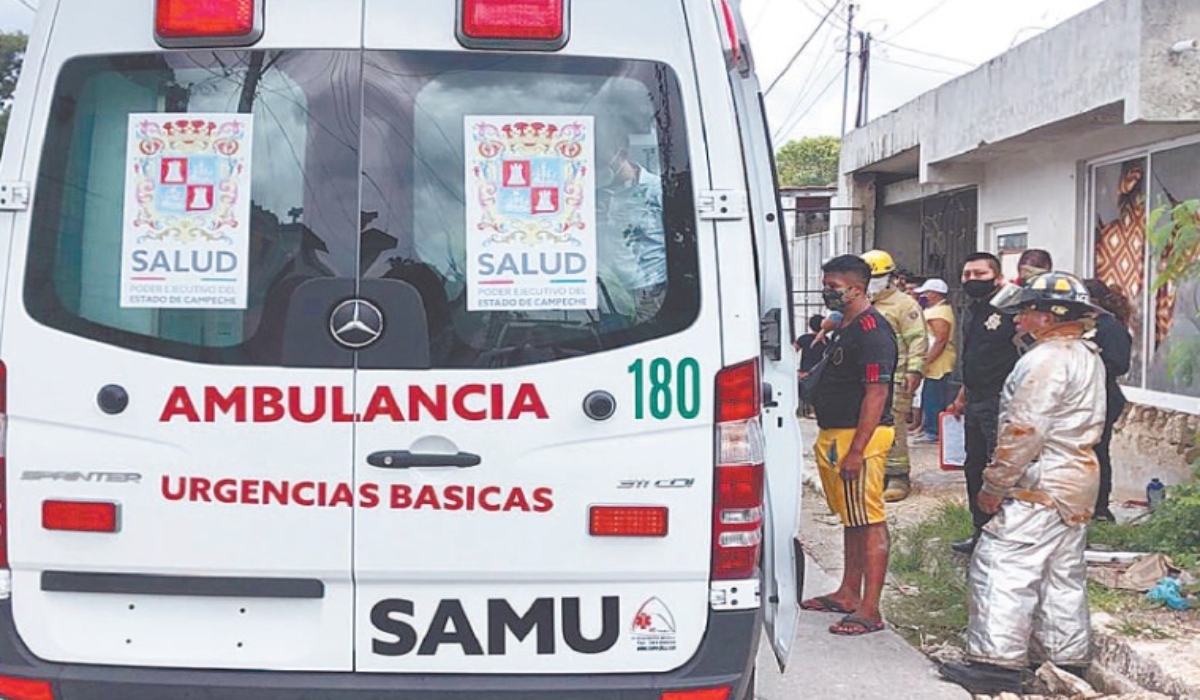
column 442, row 403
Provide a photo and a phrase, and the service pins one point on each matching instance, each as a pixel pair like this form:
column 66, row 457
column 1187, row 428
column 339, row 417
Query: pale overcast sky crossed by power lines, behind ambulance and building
column 920, row 45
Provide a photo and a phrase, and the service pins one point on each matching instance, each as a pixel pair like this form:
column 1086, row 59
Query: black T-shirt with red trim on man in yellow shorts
column 862, row 354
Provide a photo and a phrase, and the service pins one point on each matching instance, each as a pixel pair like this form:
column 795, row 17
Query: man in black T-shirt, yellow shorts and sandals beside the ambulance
column 854, row 408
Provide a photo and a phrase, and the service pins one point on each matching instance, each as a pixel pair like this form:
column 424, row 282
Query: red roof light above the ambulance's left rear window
column 206, row 23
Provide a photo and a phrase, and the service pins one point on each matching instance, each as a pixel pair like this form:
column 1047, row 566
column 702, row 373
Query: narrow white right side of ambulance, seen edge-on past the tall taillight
column 740, row 148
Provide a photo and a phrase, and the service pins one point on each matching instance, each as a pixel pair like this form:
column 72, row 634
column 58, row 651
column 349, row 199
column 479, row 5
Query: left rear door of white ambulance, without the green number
column 179, row 423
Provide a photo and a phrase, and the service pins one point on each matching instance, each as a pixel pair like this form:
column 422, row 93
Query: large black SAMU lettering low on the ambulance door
column 452, row 626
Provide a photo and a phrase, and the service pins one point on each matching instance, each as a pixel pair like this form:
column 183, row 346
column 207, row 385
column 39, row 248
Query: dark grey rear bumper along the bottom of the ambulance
column 727, row 659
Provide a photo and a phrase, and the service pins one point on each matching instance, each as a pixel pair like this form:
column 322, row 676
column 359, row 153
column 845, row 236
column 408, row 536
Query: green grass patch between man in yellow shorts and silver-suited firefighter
column 928, row 605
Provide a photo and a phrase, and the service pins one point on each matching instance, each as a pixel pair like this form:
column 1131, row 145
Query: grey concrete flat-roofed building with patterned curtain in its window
column 1079, row 142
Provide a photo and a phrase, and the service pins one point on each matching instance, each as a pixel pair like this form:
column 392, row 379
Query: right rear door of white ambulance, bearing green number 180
column 547, row 472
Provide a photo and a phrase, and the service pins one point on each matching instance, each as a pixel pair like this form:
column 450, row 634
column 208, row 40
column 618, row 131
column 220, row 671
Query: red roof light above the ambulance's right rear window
column 514, row 25
